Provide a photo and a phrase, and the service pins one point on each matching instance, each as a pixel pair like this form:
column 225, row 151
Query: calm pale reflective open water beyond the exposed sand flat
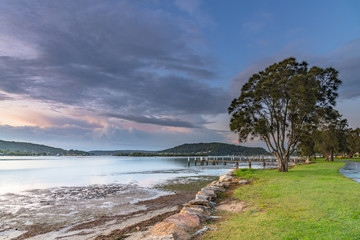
column 25, row 173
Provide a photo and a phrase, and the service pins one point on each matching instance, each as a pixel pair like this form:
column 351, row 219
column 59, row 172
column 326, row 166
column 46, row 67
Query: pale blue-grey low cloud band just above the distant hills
column 108, row 138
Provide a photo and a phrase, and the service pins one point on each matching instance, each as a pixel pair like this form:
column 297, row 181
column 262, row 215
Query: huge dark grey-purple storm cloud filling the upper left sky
column 108, row 56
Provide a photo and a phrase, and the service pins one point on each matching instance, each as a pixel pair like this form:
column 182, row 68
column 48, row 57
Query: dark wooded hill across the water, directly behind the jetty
column 216, row 149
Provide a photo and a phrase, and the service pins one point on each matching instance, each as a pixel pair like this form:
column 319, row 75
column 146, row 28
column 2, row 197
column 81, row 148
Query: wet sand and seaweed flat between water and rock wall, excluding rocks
column 90, row 212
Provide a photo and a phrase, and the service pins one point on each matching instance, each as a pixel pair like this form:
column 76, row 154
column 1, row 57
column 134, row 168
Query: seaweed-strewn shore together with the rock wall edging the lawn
column 112, row 221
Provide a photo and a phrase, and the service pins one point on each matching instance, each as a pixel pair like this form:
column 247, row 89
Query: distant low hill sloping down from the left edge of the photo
column 24, row 148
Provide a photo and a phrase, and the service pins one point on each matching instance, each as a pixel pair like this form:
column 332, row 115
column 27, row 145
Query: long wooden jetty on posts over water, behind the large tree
column 237, row 159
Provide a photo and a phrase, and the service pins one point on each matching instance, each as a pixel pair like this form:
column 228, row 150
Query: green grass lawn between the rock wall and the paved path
column 309, row 202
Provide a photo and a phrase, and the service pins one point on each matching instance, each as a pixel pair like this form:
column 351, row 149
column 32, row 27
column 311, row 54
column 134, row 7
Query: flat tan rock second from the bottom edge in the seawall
column 186, row 221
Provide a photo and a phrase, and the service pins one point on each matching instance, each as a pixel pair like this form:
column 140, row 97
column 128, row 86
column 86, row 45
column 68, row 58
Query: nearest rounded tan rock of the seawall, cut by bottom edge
column 168, row 230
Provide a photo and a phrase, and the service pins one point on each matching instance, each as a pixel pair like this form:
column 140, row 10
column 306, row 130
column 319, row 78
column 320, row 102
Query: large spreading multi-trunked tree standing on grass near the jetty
column 282, row 103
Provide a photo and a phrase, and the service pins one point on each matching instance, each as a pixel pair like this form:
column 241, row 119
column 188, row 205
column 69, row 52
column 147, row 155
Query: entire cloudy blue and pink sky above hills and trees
column 153, row 74
